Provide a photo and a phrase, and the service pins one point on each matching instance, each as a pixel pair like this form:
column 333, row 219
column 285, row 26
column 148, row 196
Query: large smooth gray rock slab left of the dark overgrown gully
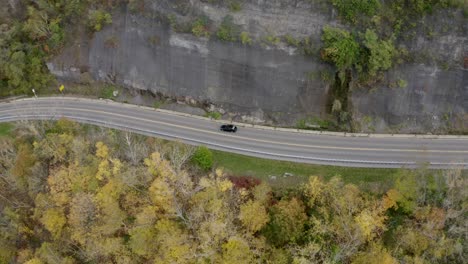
column 141, row 53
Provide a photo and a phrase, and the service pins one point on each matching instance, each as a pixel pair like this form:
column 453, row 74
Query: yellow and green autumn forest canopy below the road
column 71, row 193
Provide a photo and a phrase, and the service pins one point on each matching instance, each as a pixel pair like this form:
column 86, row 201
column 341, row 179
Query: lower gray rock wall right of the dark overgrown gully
column 434, row 101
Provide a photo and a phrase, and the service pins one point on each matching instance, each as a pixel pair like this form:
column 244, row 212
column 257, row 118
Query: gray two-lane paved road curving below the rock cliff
column 319, row 149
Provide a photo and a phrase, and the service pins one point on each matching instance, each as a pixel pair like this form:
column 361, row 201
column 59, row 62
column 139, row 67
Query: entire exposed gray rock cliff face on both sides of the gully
column 272, row 82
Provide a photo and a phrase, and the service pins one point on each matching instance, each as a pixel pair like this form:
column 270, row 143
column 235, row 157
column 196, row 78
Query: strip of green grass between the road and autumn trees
column 264, row 169
